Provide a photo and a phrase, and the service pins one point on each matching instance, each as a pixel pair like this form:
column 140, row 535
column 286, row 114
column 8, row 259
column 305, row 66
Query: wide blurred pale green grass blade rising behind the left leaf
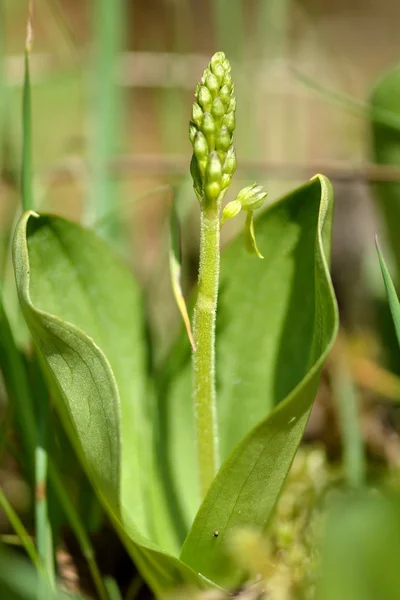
column 108, row 20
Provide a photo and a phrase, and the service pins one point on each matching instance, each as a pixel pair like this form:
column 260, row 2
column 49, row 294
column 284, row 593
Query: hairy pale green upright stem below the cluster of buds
column 204, row 357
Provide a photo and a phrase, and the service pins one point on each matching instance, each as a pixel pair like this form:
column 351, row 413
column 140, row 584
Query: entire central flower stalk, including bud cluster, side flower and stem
column 212, row 168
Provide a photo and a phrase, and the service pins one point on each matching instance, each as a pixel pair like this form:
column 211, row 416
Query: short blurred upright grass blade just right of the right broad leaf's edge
column 345, row 395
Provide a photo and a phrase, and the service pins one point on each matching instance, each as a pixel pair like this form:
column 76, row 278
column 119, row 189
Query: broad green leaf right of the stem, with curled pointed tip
column 276, row 321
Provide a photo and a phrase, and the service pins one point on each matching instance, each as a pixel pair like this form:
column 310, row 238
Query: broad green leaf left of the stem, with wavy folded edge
column 83, row 309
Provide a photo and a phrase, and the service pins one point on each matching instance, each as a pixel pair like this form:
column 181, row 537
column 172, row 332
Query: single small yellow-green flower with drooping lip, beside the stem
column 249, row 199
